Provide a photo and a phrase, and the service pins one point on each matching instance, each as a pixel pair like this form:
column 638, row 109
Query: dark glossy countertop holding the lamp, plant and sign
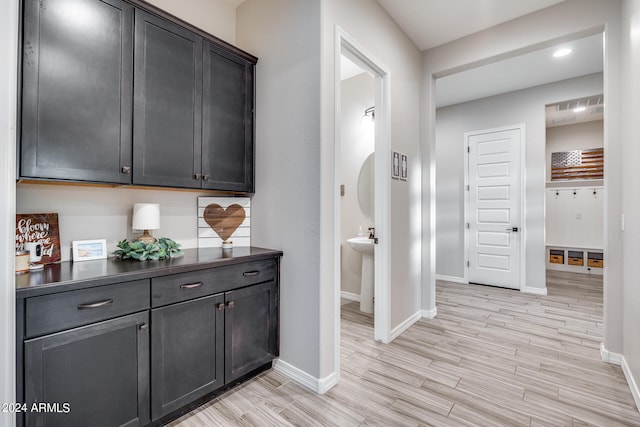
column 68, row 275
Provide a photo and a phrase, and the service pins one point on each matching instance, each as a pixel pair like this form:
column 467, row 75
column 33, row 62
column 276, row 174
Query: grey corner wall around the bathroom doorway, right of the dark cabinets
column 296, row 196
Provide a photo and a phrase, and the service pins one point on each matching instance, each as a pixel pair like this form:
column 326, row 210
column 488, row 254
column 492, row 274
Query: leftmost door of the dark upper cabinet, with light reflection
column 76, row 90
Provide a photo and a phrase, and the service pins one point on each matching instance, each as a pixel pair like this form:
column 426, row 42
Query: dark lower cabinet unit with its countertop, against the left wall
column 113, row 342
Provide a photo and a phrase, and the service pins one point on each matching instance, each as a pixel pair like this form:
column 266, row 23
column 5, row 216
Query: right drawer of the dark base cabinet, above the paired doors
column 185, row 286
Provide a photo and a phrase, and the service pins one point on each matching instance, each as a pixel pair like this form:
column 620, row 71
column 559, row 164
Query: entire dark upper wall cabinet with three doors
column 128, row 94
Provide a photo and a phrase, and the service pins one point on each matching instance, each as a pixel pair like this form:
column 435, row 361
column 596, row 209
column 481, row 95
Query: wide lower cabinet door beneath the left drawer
column 101, row 371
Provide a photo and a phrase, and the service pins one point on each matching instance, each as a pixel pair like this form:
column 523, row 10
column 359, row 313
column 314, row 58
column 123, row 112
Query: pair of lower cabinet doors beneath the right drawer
column 203, row 344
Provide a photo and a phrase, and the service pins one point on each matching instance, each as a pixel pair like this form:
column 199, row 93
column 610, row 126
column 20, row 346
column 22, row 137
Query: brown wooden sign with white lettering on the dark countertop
column 39, row 228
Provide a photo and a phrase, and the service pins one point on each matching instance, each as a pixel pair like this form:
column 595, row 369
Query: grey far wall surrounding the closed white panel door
column 525, row 106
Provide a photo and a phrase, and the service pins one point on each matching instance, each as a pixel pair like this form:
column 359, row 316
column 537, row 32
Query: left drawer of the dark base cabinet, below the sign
column 65, row 310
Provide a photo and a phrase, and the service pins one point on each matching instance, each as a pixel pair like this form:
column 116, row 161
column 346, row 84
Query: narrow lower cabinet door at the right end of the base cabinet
column 251, row 329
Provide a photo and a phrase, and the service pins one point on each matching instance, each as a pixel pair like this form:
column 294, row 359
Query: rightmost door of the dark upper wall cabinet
column 227, row 140
